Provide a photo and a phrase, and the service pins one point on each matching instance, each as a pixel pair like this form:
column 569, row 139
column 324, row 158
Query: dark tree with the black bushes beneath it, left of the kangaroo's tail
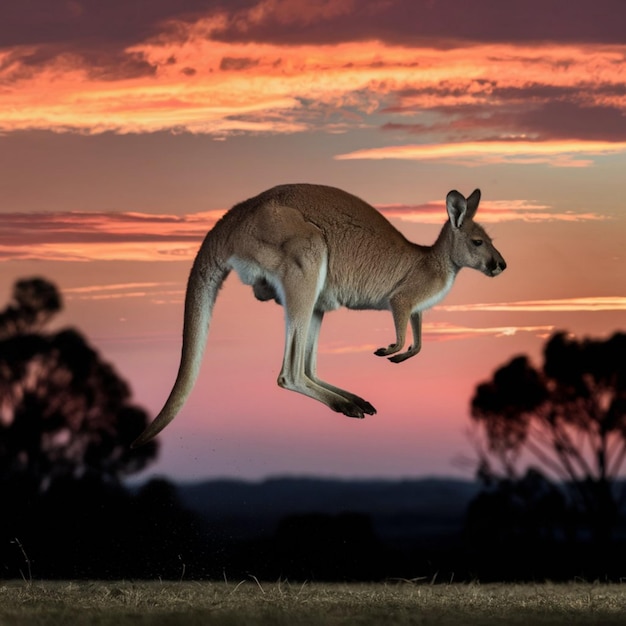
column 66, row 424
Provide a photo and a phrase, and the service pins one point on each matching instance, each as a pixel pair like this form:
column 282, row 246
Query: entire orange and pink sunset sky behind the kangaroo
column 128, row 127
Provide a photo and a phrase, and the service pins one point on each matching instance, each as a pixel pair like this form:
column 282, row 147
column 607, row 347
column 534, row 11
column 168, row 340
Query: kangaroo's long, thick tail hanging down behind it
column 207, row 276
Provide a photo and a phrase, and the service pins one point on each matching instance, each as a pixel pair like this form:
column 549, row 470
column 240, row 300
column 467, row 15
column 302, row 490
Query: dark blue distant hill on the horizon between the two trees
column 400, row 510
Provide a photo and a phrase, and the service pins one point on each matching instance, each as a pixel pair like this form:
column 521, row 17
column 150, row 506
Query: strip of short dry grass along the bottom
column 250, row 603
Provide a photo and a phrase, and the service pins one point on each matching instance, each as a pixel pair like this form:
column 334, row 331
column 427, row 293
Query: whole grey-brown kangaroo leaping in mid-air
column 312, row 249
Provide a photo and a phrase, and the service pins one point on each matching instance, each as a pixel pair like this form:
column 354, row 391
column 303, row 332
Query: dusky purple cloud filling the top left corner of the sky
column 92, row 33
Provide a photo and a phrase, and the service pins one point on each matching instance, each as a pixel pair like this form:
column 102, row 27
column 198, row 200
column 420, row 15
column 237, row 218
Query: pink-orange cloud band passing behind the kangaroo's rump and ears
column 85, row 236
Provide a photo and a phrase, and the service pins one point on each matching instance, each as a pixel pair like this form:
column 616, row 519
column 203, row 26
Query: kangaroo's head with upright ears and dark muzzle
column 471, row 245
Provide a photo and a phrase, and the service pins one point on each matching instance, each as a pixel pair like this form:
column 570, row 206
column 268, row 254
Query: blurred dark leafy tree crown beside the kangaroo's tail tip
column 63, row 410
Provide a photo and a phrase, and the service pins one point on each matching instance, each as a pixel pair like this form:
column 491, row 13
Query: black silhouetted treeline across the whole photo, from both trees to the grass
column 67, row 421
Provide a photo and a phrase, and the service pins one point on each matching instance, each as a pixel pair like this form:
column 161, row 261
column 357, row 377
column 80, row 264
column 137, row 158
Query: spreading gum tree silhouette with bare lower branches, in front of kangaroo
column 569, row 419
